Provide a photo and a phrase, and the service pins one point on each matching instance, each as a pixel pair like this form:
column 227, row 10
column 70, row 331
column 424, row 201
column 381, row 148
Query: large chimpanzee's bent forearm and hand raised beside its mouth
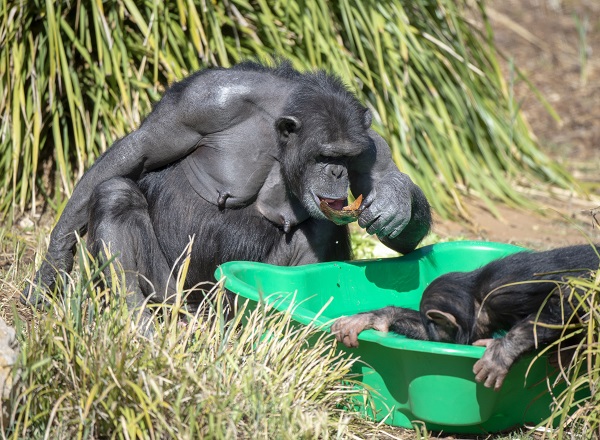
column 396, row 209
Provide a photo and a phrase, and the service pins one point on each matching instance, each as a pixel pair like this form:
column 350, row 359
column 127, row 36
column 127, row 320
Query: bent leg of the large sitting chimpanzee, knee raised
column 119, row 225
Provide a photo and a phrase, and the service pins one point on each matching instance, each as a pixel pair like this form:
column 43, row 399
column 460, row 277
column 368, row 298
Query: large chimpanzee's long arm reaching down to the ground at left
column 189, row 112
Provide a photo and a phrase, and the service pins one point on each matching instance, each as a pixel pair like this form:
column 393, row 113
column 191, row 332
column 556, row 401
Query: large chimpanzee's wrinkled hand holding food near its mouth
column 387, row 209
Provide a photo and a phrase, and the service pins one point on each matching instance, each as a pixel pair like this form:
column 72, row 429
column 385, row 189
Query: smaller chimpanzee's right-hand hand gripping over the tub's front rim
column 493, row 366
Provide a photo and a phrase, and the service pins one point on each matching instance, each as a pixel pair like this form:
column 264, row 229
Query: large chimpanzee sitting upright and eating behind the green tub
column 242, row 159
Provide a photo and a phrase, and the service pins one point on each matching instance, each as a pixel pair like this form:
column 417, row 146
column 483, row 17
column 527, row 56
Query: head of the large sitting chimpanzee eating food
column 323, row 131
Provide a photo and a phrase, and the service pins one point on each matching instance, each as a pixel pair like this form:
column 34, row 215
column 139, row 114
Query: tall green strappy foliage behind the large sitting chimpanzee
column 74, row 76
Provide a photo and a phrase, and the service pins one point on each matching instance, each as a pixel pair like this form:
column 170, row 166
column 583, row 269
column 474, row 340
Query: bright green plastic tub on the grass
column 413, row 380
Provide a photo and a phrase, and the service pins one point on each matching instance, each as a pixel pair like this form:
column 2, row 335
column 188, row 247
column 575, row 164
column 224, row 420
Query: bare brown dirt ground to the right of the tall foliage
column 556, row 44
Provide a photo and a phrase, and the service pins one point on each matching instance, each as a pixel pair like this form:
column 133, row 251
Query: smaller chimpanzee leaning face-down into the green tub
column 514, row 293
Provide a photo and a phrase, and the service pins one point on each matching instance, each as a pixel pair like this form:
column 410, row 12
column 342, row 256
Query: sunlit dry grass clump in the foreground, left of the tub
column 88, row 372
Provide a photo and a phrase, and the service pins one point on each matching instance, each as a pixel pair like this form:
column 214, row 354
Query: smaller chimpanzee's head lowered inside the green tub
column 447, row 309
